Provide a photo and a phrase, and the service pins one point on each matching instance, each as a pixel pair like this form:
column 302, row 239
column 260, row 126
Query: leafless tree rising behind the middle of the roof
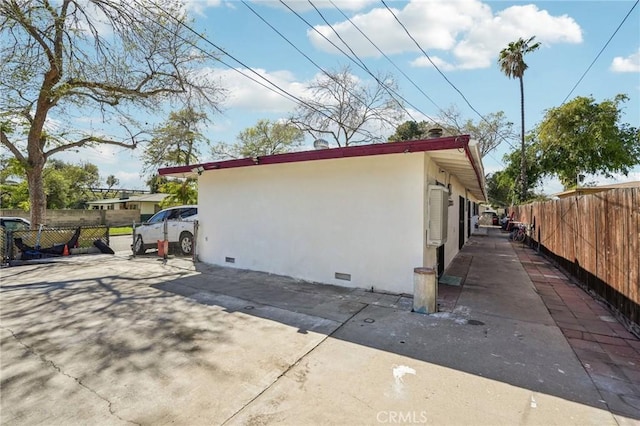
column 345, row 110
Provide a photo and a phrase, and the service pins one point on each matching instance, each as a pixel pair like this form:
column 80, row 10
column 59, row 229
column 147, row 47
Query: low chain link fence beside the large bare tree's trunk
column 26, row 244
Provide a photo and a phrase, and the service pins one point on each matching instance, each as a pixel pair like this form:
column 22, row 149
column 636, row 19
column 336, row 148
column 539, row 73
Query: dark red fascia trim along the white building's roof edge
column 450, row 142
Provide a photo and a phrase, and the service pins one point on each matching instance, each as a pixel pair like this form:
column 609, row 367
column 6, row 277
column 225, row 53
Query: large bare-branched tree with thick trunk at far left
column 65, row 62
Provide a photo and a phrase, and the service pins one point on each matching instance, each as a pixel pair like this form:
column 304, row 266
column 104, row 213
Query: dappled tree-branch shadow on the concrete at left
column 95, row 323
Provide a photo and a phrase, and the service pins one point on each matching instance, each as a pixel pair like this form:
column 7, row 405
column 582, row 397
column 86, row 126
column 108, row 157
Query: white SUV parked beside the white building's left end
column 180, row 229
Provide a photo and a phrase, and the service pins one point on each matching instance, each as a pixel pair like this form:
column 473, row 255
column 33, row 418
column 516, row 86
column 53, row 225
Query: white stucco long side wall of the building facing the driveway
column 359, row 216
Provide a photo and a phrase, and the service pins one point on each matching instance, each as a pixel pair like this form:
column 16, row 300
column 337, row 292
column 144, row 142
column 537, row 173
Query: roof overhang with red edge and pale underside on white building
column 458, row 155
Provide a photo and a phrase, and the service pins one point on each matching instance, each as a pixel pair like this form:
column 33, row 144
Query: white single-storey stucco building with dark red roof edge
column 357, row 216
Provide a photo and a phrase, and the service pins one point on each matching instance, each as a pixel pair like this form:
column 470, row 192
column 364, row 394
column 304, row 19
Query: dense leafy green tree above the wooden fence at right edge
column 584, row 136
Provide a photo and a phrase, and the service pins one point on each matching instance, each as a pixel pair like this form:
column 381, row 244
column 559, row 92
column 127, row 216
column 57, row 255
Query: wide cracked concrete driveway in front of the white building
column 112, row 340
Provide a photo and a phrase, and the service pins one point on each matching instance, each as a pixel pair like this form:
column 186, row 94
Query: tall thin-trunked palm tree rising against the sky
column 511, row 61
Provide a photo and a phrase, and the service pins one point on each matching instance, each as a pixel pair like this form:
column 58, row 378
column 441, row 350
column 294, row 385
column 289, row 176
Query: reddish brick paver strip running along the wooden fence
column 608, row 352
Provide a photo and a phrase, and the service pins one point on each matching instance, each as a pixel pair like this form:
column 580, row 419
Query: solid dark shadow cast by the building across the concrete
column 497, row 326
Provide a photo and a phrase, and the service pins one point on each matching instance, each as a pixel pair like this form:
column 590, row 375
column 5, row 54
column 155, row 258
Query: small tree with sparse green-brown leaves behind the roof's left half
column 265, row 138
